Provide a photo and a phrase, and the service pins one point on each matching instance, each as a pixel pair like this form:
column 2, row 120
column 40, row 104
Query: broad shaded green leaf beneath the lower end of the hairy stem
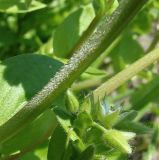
column 31, row 135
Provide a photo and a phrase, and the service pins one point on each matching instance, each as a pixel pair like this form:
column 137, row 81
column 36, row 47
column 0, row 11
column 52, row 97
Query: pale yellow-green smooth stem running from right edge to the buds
column 125, row 75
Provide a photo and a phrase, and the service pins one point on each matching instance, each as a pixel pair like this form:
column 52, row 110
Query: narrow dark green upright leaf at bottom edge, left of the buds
column 58, row 144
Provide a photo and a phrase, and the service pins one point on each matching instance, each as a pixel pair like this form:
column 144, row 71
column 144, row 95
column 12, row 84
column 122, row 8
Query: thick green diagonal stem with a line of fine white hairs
column 85, row 53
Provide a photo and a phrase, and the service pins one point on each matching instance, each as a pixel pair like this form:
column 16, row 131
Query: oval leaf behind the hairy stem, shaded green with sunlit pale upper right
column 78, row 21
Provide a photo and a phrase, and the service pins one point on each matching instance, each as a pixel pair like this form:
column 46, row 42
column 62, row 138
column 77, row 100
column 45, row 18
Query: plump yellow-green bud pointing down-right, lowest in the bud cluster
column 117, row 140
